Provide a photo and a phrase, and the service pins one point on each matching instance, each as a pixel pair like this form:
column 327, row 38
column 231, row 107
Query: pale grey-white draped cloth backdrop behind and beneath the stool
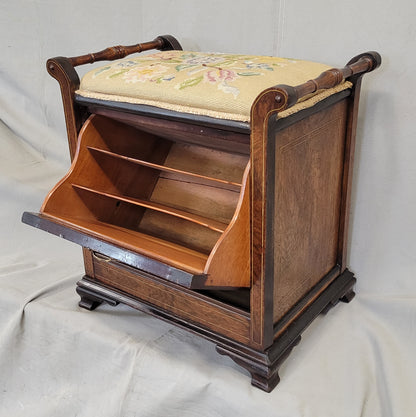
column 59, row 360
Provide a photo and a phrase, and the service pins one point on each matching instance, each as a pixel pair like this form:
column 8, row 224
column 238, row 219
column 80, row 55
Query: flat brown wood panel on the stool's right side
column 309, row 161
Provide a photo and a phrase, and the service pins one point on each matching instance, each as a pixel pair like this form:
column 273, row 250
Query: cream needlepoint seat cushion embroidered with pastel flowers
column 213, row 84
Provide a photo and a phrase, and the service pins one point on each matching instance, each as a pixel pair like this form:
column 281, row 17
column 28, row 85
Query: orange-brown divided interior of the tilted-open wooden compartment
column 169, row 199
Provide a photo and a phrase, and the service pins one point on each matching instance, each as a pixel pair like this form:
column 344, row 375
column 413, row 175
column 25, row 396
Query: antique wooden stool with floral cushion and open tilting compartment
column 210, row 190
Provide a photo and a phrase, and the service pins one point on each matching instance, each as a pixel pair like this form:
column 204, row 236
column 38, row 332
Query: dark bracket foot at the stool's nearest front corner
column 263, row 366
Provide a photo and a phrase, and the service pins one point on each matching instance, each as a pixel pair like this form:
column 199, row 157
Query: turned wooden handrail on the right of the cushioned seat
column 287, row 95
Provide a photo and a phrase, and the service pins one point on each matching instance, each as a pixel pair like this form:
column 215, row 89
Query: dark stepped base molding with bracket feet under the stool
column 263, row 366
